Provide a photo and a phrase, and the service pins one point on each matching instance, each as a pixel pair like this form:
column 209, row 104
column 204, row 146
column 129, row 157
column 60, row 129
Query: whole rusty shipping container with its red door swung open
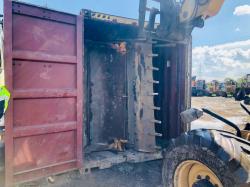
column 79, row 83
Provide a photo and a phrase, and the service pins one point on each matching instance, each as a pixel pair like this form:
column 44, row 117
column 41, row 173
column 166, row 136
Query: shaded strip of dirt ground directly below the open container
column 123, row 175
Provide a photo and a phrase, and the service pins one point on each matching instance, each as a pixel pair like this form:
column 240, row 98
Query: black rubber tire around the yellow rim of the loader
column 201, row 145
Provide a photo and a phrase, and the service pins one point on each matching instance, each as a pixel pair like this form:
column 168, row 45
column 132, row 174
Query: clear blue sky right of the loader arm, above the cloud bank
column 223, row 27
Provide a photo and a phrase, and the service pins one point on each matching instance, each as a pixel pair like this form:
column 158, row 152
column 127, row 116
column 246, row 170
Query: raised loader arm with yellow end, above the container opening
column 177, row 19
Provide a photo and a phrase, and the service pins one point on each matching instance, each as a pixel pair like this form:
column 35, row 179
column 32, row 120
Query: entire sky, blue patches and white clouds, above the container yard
column 218, row 47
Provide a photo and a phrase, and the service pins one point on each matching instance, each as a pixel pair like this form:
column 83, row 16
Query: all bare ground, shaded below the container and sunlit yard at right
column 147, row 174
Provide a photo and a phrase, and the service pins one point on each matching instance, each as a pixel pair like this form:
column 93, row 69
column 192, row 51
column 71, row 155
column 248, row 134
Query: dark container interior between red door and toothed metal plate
column 106, row 81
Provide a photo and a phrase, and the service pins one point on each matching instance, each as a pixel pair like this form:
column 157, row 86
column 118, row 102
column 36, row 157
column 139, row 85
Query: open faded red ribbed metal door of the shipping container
column 43, row 71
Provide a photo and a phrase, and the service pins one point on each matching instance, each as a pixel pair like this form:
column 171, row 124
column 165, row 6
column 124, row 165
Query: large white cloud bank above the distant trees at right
column 221, row 61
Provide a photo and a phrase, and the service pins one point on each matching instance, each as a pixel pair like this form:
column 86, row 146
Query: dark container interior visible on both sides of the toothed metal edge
column 109, row 61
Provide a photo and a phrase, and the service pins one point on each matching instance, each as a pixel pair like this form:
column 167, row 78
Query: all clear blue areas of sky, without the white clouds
column 218, row 30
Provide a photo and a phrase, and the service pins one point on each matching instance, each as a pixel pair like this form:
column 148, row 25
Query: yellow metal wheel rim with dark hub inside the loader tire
column 191, row 172
